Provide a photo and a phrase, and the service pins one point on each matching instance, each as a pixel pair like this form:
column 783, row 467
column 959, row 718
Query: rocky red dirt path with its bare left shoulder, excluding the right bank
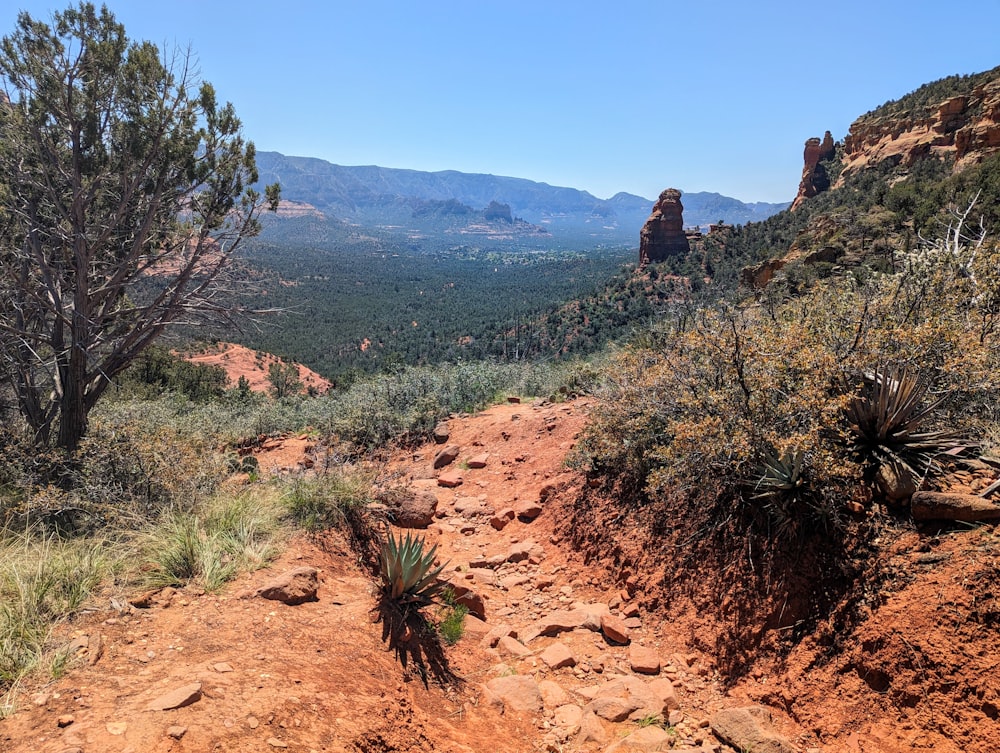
column 319, row 676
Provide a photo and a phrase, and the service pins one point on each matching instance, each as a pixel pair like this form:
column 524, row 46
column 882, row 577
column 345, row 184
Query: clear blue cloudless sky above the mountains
column 621, row 95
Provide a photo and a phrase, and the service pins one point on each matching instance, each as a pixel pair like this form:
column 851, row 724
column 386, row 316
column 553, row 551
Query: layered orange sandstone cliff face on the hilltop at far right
column 965, row 126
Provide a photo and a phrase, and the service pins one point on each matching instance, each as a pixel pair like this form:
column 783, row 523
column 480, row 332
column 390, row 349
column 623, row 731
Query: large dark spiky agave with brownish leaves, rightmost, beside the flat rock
column 888, row 421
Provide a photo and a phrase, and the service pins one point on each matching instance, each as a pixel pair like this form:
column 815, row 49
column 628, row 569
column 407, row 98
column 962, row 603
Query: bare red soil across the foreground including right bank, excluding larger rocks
column 917, row 672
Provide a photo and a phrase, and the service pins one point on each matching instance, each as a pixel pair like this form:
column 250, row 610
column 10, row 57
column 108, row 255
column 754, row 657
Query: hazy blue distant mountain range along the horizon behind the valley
column 394, row 197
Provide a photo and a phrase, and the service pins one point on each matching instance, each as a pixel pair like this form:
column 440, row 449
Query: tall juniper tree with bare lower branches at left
column 125, row 190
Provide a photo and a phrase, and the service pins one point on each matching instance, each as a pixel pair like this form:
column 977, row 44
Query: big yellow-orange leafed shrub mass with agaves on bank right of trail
column 749, row 429
